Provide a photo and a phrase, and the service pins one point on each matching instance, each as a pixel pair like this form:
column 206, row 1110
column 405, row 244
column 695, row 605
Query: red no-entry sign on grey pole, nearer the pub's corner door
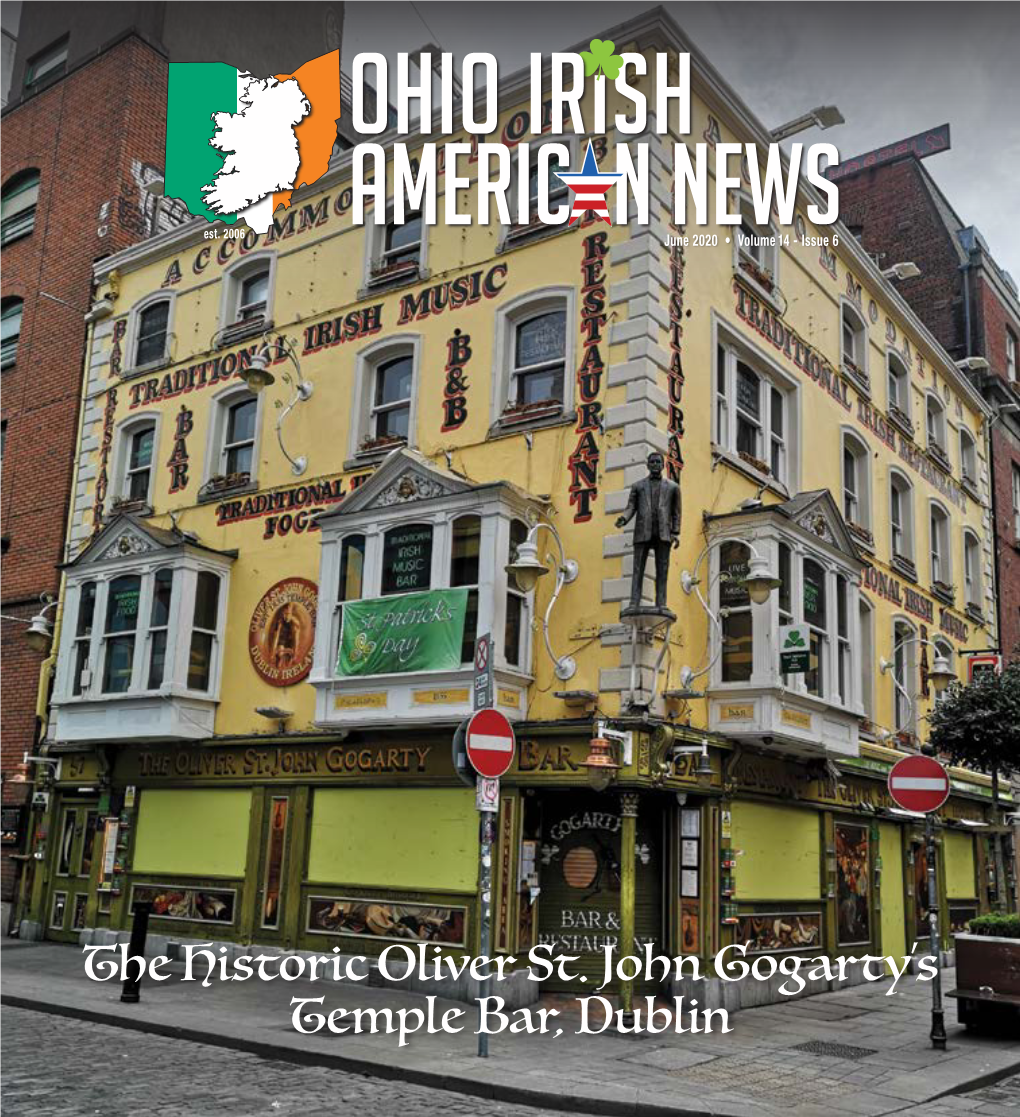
column 491, row 746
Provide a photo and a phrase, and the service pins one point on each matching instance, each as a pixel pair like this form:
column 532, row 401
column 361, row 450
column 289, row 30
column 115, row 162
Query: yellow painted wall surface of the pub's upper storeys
column 320, row 276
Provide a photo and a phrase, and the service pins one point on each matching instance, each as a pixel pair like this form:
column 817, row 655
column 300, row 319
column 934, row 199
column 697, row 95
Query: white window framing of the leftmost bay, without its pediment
column 186, row 571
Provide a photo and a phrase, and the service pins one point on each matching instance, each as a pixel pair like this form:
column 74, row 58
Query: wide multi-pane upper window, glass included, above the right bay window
column 754, row 414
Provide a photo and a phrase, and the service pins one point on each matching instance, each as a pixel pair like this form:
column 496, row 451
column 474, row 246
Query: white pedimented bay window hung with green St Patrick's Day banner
column 415, row 538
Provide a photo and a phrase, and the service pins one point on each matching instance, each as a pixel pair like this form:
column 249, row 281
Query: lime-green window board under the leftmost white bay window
column 193, row 833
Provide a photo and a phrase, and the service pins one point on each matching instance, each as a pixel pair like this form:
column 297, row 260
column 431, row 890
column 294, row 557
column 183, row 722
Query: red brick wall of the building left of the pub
column 87, row 136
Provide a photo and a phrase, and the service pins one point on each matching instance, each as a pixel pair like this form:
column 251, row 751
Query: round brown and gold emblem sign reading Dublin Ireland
column 282, row 634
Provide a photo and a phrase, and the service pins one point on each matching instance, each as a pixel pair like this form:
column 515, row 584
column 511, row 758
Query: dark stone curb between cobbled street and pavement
column 495, row 1092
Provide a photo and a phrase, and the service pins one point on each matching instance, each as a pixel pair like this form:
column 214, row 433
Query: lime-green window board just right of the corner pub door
column 778, row 853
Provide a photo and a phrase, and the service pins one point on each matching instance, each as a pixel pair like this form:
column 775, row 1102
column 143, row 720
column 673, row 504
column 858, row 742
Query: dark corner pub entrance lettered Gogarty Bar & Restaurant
column 580, row 863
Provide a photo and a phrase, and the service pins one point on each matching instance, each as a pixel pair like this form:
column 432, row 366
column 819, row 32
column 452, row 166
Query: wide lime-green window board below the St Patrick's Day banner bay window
column 414, row 838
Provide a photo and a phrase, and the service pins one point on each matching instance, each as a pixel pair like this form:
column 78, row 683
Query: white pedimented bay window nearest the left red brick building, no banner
column 147, row 613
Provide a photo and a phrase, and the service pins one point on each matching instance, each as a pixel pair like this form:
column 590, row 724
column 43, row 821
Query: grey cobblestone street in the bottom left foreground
column 55, row 1067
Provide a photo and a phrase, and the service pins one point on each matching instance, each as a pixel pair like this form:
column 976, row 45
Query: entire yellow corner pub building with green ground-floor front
column 434, row 405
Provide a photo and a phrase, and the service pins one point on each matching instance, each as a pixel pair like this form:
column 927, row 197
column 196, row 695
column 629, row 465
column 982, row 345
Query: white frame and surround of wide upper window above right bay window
column 726, row 440
